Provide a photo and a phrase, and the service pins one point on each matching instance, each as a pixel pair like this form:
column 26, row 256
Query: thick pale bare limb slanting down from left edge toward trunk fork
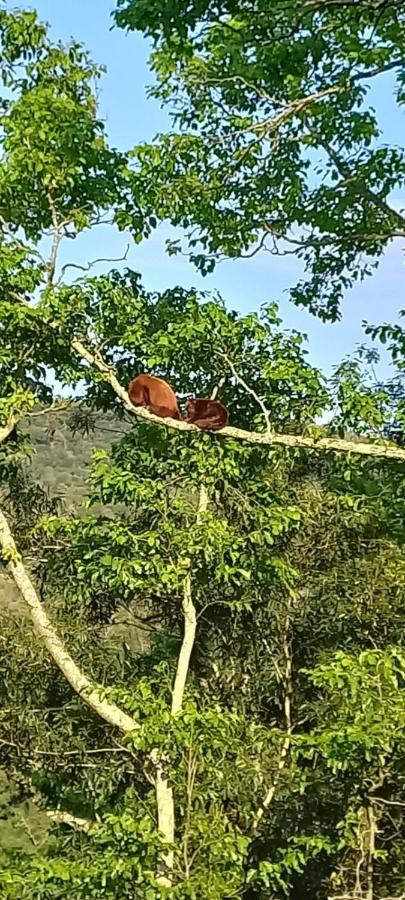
column 89, row 692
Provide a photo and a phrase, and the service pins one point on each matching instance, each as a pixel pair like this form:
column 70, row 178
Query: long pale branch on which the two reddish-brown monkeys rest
column 290, row 441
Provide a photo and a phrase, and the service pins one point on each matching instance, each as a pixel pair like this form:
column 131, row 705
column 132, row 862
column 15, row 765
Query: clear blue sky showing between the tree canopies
column 130, row 117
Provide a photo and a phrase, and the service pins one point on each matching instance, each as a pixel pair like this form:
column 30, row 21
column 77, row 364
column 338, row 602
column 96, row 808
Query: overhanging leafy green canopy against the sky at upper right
column 273, row 143
